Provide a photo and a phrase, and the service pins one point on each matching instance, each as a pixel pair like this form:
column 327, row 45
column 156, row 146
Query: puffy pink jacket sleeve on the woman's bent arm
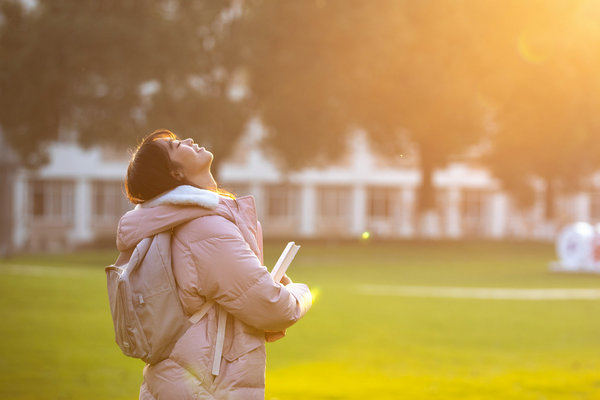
column 231, row 274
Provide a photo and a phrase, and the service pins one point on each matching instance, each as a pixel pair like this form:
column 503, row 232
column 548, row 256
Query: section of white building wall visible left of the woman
column 75, row 199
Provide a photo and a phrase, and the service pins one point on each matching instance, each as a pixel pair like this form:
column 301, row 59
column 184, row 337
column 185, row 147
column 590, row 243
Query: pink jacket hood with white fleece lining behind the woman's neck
column 166, row 211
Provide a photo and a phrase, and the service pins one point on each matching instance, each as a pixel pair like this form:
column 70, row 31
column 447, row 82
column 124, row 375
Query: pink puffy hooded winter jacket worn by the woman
column 216, row 255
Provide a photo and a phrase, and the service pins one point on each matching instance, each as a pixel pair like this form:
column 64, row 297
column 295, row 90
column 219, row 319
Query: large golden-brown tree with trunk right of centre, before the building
column 394, row 68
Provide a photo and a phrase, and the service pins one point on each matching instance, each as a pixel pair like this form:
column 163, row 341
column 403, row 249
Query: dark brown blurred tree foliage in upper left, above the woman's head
column 82, row 66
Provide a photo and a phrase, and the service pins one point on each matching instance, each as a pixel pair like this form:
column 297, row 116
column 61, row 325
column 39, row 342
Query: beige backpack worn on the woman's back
column 147, row 315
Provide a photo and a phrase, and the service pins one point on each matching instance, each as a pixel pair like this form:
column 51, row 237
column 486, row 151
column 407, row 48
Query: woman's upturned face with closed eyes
column 188, row 156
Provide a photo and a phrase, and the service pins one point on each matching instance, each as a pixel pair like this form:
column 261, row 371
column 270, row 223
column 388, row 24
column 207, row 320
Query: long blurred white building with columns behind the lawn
column 78, row 198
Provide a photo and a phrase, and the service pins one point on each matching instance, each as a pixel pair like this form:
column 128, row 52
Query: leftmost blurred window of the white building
column 52, row 200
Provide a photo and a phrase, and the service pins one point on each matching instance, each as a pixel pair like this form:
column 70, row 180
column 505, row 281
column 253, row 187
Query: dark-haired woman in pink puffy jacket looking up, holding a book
column 216, row 257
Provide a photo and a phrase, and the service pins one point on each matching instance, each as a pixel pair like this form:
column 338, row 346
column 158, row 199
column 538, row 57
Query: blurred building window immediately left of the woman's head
column 109, row 200
